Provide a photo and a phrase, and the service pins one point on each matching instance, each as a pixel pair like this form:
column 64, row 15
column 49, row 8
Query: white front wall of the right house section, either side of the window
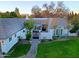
column 50, row 33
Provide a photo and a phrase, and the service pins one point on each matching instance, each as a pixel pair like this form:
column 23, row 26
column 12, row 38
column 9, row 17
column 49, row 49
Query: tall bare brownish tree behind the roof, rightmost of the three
column 61, row 10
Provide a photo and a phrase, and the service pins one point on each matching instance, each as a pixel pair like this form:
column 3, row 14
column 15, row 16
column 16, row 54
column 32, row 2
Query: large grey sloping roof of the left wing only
column 9, row 26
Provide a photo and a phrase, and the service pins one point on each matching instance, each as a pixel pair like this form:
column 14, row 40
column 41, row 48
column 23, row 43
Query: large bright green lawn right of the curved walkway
column 55, row 49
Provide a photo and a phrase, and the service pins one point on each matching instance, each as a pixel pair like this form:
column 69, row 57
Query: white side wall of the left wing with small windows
column 8, row 45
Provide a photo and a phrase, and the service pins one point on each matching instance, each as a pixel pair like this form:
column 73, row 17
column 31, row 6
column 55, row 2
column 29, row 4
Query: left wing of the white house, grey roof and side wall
column 10, row 29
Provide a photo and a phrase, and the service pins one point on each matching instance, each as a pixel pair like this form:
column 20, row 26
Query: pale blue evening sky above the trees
column 26, row 6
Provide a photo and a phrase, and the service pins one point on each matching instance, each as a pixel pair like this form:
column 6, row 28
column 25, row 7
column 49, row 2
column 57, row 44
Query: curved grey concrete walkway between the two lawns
column 33, row 50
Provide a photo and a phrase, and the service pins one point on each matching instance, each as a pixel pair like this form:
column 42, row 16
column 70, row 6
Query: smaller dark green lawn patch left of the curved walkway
column 18, row 50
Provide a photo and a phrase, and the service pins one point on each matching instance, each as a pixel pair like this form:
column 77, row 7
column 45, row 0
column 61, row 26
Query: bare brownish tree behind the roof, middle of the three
column 48, row 9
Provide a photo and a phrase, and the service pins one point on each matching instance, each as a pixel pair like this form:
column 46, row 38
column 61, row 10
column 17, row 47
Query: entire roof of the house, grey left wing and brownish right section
column 9, row 26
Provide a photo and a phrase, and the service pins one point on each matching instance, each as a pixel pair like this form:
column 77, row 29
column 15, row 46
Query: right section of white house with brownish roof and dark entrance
column 50, row 27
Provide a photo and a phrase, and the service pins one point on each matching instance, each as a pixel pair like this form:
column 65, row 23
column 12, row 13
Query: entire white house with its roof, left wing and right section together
column 45, row 28
